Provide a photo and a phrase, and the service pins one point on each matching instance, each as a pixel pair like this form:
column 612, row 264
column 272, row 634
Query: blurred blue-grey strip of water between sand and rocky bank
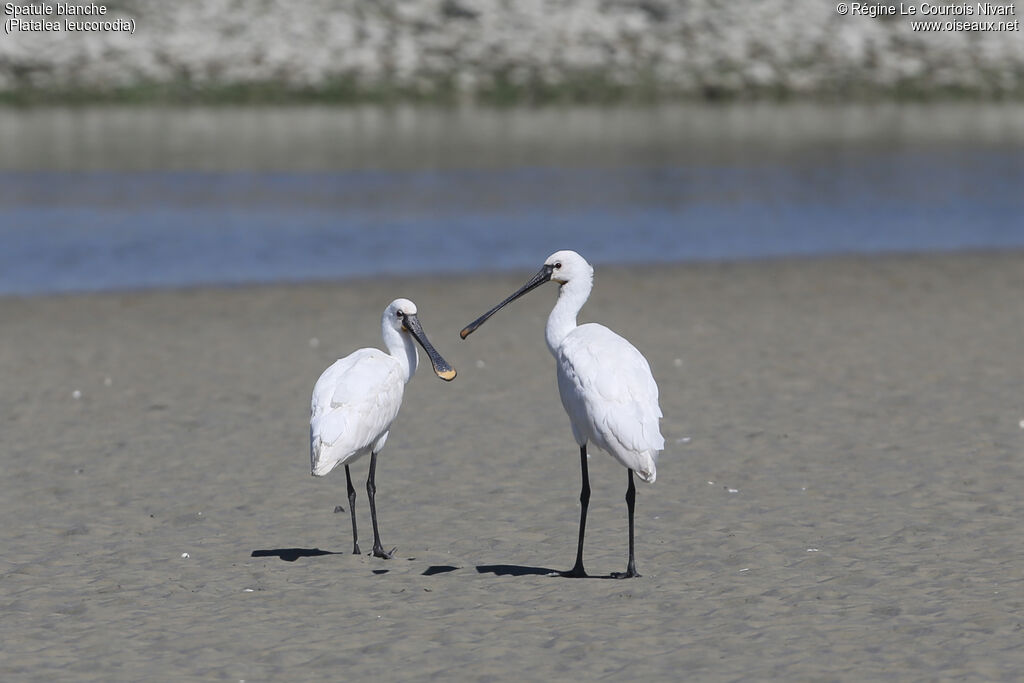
column 103, row 199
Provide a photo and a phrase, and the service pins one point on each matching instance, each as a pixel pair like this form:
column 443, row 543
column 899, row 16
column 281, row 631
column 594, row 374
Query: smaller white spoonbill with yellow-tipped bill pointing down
column 357, row 400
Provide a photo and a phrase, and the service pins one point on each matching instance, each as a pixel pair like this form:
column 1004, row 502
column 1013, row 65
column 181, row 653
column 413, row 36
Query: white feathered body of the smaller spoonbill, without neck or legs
column 355, row 403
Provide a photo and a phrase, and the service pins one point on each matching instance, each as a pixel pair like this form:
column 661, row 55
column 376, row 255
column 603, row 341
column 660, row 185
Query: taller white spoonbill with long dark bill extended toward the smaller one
column 606, row 385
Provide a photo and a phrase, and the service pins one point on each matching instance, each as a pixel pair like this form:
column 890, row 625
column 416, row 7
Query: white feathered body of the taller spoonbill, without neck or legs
column 611, row 396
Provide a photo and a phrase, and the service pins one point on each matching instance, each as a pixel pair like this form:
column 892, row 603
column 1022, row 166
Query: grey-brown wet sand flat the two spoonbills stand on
column 839, row 498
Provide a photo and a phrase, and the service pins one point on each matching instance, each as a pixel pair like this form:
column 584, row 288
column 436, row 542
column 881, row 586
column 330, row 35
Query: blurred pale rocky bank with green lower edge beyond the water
column 498, row 52
